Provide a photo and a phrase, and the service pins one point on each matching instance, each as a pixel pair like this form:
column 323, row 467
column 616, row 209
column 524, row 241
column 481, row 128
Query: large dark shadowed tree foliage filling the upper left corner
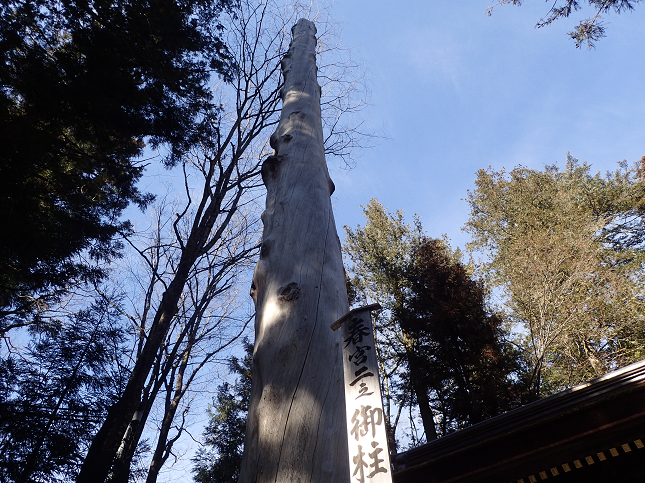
column 85, row 84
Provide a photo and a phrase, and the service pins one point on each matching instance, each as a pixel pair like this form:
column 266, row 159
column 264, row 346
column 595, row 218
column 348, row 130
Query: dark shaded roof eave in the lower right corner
column 592, row 433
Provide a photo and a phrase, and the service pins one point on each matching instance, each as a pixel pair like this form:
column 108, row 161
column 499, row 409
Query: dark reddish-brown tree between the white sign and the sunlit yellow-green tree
column 463, row 359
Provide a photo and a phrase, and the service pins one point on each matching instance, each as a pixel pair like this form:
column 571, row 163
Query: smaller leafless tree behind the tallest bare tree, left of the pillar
column 206, row 324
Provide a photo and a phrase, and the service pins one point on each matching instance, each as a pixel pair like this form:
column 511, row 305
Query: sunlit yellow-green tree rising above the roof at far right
column 565, row 249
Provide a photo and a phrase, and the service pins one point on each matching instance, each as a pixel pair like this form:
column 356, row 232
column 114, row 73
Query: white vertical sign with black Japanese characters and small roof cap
column 369, row 459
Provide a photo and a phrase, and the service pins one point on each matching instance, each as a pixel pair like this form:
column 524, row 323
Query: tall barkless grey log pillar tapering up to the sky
column 296, row 424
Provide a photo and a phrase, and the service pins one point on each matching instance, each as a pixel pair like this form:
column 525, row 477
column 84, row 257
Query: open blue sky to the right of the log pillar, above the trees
column 454, row 90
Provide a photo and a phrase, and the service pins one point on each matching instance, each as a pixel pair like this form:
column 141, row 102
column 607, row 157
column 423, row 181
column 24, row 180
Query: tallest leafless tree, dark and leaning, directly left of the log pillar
column 193, row 256
